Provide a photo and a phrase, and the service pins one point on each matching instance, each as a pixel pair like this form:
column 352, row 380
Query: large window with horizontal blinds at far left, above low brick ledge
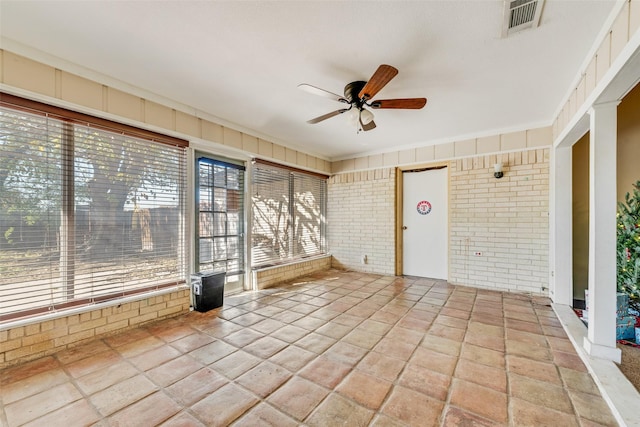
column 89, row 210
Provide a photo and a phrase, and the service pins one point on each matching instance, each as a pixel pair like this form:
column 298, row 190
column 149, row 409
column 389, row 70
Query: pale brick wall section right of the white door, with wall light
column 506, row 220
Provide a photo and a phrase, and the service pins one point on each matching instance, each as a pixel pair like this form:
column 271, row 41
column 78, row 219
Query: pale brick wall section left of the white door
column 361, row 218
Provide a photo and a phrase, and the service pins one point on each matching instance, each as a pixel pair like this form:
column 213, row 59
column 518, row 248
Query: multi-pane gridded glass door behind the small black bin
column 220, row 210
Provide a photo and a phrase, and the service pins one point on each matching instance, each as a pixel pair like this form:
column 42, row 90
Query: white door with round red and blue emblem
column 425, row 225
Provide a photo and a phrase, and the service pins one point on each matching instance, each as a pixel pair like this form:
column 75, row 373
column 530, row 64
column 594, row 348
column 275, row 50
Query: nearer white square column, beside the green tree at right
column 601, row 336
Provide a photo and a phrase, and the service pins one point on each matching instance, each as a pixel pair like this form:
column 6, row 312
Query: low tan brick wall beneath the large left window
column 30, row 341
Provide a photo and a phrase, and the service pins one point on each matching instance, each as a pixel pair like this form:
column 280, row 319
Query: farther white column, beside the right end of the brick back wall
column 561, row 227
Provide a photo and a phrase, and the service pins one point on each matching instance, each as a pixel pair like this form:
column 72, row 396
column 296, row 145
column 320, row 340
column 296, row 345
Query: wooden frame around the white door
column 400, row 209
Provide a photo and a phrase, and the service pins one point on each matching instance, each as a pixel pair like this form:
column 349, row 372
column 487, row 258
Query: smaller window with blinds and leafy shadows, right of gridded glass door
column 288, row 214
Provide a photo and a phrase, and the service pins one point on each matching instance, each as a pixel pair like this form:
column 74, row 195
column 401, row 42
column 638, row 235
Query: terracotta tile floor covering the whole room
column 338, row 348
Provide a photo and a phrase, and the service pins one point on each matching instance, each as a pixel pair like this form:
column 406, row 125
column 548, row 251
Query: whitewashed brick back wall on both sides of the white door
column 506, row 220
